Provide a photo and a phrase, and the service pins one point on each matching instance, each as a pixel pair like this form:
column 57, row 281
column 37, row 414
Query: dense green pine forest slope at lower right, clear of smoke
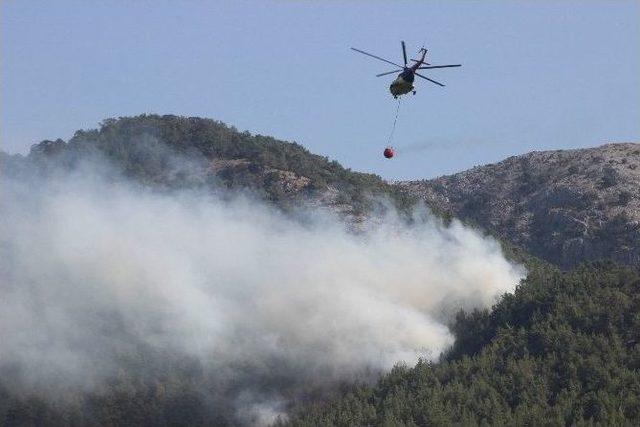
column 563, row 350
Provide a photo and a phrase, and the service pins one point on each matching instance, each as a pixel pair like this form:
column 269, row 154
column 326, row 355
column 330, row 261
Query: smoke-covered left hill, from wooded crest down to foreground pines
column 139, row 288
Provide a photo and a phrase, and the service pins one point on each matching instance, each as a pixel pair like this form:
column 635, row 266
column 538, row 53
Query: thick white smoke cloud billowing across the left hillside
column 88, row 266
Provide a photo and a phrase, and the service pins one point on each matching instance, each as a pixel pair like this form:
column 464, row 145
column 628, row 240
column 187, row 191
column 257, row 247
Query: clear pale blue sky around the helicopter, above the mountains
column 535, row 75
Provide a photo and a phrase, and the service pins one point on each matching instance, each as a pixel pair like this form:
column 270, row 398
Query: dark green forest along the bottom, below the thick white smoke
column 564, row 349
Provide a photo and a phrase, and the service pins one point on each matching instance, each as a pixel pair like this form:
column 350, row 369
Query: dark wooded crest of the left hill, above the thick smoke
column 216, row 156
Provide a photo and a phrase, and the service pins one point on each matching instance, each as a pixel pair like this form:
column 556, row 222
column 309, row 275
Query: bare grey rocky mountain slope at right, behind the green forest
column 564, row 206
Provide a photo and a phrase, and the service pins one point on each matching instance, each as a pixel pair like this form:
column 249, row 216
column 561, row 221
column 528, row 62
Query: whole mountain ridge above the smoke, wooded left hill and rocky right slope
column 561, row 206
